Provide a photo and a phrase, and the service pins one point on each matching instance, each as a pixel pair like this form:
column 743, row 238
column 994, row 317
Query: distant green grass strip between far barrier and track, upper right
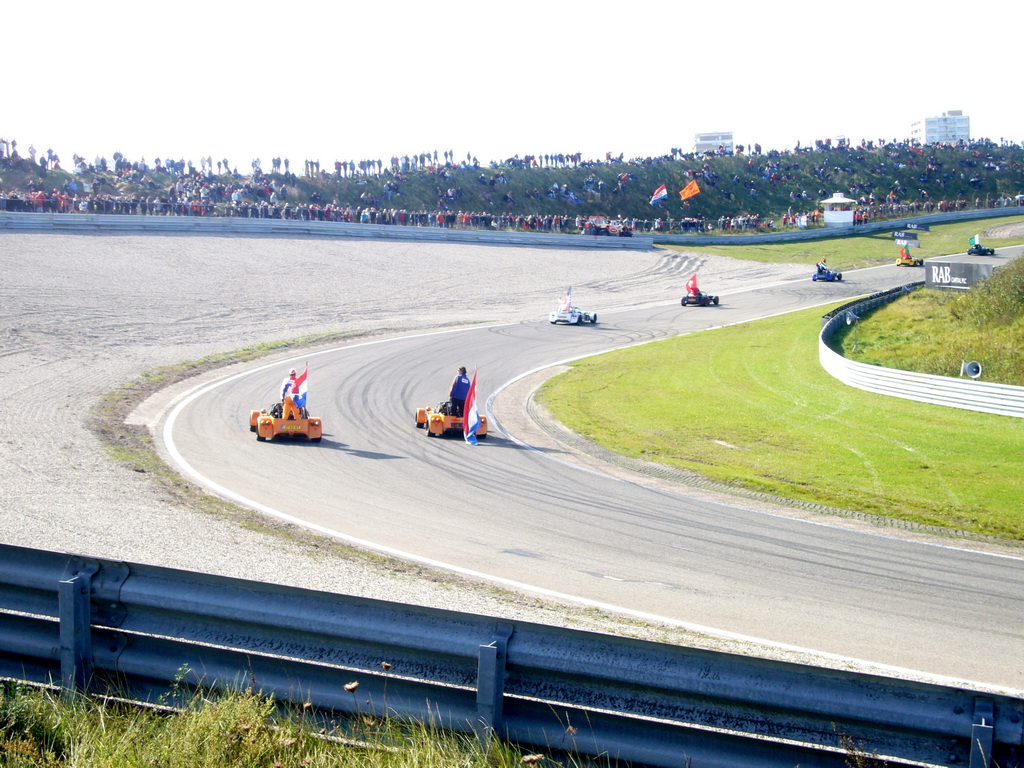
column 860, row 251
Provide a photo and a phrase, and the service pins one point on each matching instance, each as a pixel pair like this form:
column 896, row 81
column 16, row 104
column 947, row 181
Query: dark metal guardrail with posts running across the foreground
column 92, row 623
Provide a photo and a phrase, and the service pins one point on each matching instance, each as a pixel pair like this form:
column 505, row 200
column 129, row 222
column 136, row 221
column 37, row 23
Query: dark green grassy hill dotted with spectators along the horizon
column 766, row 186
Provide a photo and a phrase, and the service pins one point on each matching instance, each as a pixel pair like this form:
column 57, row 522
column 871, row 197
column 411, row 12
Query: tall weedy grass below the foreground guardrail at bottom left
column 40, row 730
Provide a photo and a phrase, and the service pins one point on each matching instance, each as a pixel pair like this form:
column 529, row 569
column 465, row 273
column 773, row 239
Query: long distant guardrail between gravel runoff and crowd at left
column 297, row 228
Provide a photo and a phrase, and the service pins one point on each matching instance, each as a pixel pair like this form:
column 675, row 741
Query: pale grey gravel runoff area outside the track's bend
column 86, row 315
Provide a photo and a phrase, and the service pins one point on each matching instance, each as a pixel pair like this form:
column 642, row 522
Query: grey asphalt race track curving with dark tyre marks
column 506, row 514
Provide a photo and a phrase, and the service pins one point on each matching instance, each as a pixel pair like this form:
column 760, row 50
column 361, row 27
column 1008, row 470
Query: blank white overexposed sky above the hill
column 336, row 80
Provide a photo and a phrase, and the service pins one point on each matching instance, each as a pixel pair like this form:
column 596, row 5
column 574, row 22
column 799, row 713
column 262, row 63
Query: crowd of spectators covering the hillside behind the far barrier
column 215, row 189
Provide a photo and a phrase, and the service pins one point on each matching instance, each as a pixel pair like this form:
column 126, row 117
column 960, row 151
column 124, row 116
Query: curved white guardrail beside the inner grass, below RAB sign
column 969, row 395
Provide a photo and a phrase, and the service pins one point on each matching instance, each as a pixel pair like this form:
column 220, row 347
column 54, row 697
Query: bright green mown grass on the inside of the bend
column 751, row 407
